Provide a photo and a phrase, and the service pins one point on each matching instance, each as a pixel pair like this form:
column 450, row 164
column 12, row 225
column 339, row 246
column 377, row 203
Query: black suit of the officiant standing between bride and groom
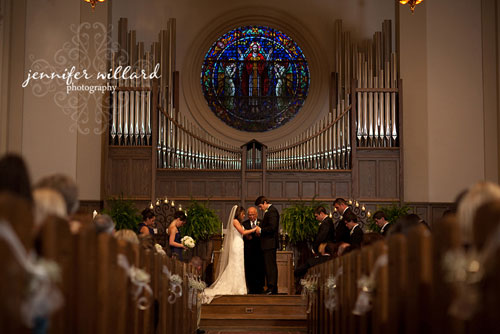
column 254, row 261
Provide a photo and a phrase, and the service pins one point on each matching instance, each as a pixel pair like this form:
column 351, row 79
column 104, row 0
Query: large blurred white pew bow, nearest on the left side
column 43, row 296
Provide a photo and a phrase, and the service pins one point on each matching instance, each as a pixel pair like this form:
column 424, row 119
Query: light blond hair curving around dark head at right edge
column 477, row 195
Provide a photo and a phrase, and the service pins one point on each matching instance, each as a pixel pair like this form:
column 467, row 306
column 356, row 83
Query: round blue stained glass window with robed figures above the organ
column 255, row 78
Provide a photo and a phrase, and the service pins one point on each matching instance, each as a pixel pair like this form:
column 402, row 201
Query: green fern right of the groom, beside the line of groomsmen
column 299, row 222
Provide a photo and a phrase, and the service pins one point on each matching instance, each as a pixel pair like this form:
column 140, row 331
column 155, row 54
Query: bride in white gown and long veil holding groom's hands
column 231, row 269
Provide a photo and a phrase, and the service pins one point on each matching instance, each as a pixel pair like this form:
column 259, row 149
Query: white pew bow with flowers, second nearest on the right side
column 367, row 285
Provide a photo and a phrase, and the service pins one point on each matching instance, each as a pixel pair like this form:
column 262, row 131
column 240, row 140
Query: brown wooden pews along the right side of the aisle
column 411, row 293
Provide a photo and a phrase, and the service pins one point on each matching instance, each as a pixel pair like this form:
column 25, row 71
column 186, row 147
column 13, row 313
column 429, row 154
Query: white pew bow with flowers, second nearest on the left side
column 140, row 279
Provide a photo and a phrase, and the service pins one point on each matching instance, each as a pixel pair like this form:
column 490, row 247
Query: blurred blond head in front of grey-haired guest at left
column 48, row 202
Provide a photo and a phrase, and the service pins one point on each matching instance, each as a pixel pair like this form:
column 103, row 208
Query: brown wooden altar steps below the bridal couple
column 255, row 312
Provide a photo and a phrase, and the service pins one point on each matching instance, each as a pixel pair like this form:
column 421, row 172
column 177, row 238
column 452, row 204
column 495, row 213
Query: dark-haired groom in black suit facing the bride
column 269, row 240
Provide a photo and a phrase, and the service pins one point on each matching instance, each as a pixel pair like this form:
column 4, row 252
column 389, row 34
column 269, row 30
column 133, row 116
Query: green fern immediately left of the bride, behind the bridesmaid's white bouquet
column 202, row 222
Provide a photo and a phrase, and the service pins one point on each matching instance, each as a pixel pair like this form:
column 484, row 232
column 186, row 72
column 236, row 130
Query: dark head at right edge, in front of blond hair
column 486, row 223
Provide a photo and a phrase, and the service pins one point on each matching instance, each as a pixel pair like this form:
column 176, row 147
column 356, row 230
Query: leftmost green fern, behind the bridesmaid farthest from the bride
column 124, row 213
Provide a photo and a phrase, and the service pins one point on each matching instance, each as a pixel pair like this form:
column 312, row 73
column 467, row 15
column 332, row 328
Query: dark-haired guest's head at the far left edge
column 14, row 176
